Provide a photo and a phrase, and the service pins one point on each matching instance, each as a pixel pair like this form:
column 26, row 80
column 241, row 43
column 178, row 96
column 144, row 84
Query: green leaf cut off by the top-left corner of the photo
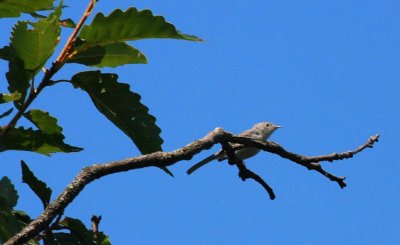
column 14, row 8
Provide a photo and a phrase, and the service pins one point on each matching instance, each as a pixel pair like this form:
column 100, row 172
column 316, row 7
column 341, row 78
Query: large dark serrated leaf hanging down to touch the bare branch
column 122, row 107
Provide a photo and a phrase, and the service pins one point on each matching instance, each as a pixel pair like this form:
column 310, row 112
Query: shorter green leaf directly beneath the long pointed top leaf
column 114, row 54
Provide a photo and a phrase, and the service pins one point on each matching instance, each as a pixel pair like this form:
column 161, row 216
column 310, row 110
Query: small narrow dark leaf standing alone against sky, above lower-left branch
column 37, row 186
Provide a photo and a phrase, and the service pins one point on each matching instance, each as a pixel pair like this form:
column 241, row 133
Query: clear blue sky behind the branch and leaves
column 327, row 71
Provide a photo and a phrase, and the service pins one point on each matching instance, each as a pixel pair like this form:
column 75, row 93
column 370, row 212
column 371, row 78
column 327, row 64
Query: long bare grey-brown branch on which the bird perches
column 164, row 159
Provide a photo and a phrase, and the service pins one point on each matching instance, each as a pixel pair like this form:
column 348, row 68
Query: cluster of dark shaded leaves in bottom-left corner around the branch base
column 65, row 231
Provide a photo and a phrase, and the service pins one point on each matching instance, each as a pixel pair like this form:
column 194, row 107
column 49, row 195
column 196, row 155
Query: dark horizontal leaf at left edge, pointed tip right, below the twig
column 34, row 140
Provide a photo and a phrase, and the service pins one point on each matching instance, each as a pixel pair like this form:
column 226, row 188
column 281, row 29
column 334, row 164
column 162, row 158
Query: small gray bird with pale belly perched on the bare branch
column 260, row 131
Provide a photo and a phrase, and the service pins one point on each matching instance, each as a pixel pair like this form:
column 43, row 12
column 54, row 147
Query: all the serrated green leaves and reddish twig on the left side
column 105, row 42
